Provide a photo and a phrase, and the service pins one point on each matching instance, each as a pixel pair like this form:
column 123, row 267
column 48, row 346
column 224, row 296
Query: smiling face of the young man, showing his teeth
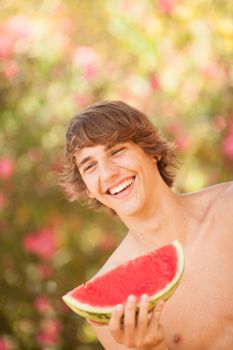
column 120, row 176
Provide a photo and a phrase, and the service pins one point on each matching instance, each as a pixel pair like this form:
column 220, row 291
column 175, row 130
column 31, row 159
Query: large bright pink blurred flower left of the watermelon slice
column 41, row 243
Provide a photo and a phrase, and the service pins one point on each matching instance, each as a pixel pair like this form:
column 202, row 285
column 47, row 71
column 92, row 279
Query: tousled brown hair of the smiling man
column 112, row 122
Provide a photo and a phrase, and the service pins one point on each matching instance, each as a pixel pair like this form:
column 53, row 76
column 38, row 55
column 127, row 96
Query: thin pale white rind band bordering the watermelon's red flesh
column 164, row 293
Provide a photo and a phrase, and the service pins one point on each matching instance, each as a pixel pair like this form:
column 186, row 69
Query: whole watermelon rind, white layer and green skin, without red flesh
column 103, row 314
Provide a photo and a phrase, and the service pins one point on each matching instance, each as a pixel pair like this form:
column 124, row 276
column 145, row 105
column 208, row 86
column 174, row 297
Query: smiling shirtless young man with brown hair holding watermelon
column 117, row 159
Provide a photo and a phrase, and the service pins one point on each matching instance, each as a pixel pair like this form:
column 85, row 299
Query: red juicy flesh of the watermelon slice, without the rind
column 135, row 277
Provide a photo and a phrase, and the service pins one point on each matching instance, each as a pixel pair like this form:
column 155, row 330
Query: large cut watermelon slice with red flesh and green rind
column 156, row 273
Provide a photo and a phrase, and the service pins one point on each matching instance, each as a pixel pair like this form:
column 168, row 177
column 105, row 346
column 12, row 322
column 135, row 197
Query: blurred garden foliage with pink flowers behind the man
column 170, row 58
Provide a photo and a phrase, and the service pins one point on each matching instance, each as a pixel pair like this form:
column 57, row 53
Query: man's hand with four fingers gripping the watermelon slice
column 143, row 332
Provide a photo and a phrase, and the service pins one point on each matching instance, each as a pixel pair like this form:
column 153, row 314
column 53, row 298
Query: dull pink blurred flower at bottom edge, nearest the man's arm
column 49, row 332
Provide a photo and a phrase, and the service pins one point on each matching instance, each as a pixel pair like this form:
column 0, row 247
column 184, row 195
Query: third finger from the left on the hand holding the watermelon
column 143, row 318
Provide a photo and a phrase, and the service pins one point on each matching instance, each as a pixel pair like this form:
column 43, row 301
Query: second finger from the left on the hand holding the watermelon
column 130, row 320
